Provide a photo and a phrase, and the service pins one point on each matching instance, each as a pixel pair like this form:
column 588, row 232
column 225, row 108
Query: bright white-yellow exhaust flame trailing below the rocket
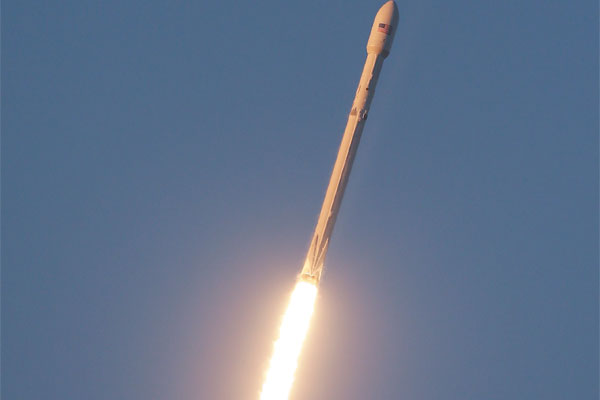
column 296, row 319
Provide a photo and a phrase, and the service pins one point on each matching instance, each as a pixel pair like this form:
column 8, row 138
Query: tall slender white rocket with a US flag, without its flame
column 378, row 48
